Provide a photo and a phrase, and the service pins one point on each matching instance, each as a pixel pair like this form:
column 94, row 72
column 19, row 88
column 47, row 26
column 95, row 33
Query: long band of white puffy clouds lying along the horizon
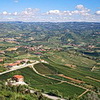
column 80, row 14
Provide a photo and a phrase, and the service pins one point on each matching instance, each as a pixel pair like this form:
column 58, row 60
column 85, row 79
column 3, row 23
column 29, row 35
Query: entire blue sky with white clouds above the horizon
column 50, row 10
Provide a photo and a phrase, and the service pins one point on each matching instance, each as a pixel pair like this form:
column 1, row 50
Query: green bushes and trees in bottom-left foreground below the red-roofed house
column 19, row 93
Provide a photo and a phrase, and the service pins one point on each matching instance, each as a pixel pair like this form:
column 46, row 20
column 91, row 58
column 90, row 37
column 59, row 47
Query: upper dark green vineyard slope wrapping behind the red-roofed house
column 30, row 77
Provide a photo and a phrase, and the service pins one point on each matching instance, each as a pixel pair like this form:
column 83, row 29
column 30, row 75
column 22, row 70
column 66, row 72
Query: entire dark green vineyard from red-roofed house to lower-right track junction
column 38, row 82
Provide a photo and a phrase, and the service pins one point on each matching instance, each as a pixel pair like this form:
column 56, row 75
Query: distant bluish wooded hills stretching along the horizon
column 53, row 33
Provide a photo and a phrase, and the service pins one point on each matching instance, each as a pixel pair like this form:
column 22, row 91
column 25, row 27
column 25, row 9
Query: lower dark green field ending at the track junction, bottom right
column 64, row 88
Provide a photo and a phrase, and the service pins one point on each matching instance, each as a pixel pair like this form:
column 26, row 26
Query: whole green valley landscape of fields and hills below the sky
column 67, row 53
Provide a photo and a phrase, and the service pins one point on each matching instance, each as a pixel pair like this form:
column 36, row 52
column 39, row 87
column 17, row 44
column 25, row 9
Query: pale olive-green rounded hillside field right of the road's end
column 71, row 58
